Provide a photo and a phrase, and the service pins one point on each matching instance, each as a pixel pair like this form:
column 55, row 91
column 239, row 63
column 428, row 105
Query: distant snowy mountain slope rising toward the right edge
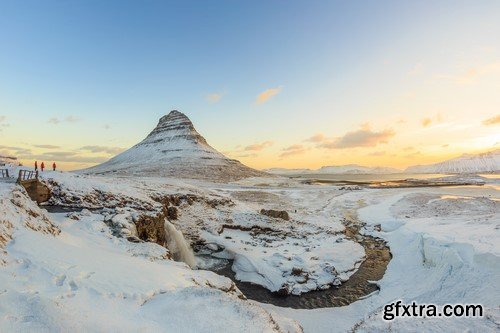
column 467, row 163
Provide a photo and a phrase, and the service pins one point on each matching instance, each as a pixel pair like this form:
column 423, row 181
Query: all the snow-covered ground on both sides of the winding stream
column 445, row 244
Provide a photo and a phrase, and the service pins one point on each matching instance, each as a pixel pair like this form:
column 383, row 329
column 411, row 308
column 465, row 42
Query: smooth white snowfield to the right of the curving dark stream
column 443, row 252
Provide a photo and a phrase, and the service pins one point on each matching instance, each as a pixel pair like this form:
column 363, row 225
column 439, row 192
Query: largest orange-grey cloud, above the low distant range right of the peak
column 364, row 137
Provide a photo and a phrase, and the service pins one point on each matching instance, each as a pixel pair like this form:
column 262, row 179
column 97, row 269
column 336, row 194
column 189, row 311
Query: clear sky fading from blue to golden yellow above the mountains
column 295, row 84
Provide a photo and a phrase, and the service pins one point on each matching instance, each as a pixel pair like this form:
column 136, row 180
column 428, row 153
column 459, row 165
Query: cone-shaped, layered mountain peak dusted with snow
column 175, row 149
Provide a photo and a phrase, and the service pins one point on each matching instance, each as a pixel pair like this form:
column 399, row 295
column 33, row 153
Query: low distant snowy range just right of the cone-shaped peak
column 349, row 169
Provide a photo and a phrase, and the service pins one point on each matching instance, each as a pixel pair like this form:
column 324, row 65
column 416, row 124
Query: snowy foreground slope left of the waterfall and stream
column 86, row 279
